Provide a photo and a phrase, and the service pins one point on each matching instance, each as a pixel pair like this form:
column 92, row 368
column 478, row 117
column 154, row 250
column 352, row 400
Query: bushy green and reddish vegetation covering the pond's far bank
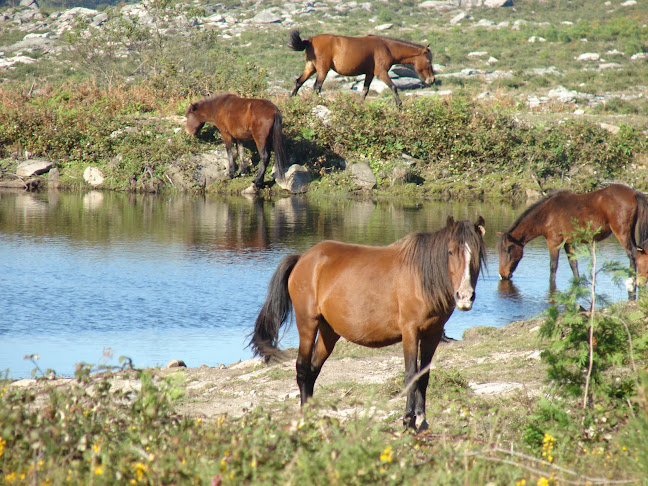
column 435, row 147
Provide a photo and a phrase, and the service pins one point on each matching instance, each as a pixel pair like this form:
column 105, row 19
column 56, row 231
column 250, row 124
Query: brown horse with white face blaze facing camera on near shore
column 374, row 296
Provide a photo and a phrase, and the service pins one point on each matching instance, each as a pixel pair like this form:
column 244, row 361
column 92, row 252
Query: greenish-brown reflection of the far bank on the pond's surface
column 231, row 222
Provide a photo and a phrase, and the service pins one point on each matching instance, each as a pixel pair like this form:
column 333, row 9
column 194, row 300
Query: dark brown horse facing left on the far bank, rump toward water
column 240, row 119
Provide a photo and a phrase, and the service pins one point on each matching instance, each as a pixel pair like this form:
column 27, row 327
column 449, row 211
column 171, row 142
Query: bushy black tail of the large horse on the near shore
column 275, row 311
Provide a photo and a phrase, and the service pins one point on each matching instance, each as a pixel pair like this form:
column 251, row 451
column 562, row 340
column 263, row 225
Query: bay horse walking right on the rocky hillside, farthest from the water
column 372, row 55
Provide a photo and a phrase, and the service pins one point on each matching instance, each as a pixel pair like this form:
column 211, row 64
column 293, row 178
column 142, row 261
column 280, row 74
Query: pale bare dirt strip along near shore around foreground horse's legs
column 493, row 362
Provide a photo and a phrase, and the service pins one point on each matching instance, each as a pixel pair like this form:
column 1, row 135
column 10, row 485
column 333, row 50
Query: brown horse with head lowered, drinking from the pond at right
column 617, row 209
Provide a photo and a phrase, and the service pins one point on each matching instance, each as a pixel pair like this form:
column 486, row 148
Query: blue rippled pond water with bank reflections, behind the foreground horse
column 92, row 277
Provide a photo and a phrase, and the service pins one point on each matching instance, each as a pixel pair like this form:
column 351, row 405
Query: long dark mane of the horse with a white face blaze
column 428, row 254
